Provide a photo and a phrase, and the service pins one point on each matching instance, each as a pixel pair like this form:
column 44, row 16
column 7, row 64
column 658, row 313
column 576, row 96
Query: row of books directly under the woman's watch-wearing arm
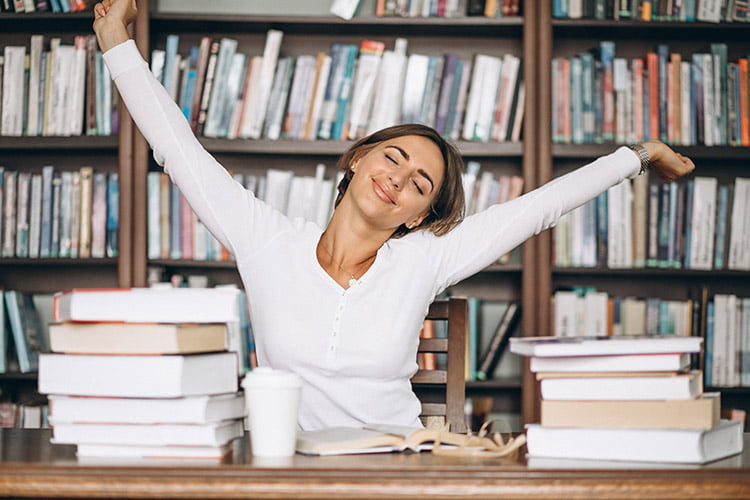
column 699, row 224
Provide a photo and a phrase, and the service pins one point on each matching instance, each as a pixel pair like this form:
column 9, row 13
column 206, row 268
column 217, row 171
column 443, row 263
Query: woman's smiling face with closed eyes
column 396, row 181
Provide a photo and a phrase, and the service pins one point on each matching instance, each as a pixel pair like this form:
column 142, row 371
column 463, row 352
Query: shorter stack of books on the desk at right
column 625, row 397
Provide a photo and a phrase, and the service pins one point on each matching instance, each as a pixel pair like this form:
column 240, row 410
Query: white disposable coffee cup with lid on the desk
column 272, row 398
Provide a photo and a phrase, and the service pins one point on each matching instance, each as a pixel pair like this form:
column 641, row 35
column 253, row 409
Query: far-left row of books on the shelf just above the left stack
column 65, row 214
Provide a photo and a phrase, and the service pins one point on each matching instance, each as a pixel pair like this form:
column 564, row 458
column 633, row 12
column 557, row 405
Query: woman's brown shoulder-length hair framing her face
column 447, row 207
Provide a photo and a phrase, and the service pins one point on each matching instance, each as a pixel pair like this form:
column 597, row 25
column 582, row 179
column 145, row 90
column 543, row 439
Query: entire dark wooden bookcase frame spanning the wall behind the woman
column 536, row 37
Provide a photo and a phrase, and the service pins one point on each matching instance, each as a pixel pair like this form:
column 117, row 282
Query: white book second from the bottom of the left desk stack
column 213, row 434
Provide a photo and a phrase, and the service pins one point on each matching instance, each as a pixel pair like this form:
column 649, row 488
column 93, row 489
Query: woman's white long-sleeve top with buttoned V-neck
column 354, row 348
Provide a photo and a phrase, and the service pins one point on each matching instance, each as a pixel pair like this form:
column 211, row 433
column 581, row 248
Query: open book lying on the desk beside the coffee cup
column 373, row 438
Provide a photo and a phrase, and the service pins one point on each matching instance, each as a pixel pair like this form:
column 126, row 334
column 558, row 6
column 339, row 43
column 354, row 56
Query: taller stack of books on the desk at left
column 144, row 372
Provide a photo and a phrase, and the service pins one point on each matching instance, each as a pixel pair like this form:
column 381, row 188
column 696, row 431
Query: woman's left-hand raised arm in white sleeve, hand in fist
column 232, row 214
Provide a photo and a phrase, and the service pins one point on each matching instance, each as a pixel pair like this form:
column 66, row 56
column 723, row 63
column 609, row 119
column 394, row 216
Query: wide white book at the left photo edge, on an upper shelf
column 13, row 90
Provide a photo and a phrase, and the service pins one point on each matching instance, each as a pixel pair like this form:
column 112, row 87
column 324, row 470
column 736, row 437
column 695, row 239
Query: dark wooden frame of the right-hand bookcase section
column 567, row 38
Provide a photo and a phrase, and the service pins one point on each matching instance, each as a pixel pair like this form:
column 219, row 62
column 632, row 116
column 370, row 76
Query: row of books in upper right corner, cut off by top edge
column 711, row 11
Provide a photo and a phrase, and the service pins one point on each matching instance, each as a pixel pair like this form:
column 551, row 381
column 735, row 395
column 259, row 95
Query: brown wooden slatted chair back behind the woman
column 447, row 386
